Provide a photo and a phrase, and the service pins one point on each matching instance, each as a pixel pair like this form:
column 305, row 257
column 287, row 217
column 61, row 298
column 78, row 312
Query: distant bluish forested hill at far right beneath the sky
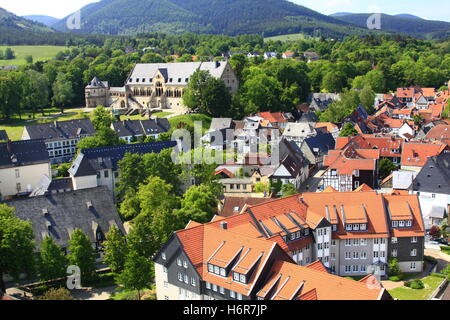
column 407, row 24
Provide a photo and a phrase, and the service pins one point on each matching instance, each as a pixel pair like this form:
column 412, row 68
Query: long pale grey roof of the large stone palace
column 173, row 73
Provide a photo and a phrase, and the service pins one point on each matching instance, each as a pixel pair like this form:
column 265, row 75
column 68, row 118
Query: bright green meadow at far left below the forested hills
column 39, row 53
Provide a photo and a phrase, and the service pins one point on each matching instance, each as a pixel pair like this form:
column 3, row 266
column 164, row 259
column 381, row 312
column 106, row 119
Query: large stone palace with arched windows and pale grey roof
column 156, row 85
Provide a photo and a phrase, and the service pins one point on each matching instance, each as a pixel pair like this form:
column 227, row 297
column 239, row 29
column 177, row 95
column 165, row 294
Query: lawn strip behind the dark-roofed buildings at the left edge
column 14, row 126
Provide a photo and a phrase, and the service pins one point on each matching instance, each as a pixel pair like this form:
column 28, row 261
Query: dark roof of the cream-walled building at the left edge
column 22, row 153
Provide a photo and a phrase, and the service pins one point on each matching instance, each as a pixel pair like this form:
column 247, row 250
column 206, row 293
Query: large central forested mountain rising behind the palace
column 267, row 17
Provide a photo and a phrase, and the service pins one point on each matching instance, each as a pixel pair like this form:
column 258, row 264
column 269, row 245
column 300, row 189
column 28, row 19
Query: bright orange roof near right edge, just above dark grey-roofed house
column 417, row 154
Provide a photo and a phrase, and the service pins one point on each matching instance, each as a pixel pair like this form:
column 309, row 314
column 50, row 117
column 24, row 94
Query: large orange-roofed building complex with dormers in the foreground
column 268, row 250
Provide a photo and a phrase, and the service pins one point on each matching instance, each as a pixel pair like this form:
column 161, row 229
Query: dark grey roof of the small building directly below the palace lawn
column 129, row 128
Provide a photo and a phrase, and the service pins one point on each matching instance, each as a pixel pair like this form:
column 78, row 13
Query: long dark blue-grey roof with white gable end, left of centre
column 89, row 161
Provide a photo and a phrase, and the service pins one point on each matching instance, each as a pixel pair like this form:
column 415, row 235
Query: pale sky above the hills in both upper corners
column 430, row 9
